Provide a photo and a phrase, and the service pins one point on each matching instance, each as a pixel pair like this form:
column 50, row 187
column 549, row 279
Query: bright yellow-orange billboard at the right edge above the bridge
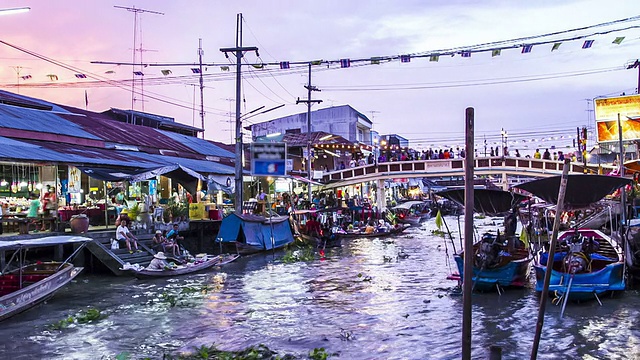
column 607, row 110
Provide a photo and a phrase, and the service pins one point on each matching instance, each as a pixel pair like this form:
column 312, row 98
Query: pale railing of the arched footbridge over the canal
column 439, row 166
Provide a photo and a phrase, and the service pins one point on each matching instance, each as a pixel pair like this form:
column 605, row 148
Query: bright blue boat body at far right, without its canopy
column 587, row 263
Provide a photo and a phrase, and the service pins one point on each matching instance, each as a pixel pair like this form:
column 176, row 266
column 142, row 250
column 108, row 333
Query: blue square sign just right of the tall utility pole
column 268, row 159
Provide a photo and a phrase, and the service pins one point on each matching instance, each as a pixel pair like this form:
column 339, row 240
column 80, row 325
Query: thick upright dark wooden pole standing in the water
column 467, row 280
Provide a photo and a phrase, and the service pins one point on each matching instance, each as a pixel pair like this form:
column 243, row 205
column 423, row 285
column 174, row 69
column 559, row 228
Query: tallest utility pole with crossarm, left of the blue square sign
column 238, row 51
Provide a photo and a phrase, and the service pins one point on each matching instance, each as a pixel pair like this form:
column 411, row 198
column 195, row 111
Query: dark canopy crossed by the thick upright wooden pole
column 486, row 201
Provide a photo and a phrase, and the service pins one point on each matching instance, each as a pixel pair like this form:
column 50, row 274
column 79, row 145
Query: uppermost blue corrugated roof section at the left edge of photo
column 15, row 117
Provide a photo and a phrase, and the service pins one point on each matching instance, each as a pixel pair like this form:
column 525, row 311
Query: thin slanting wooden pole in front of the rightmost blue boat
column 552, row 251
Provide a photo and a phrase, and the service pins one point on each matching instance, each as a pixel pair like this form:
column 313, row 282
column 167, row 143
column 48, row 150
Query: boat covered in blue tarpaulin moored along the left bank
column 248, row 233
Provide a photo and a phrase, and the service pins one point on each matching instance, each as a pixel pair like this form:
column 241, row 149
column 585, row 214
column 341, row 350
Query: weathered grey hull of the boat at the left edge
column 42, row 290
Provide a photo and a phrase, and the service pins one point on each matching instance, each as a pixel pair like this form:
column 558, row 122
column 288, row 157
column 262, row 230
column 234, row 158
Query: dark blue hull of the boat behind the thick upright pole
column 512, row 274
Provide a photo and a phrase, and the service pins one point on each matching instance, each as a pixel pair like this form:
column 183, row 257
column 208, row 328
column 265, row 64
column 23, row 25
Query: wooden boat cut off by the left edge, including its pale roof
column 29, row 285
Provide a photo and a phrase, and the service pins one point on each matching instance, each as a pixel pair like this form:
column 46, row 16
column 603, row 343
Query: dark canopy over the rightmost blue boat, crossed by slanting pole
column 582, row 190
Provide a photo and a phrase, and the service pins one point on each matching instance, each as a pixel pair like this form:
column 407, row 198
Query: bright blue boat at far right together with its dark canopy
column 586, row 262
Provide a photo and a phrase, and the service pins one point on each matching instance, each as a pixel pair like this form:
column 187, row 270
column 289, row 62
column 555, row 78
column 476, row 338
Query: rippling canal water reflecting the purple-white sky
column 371, row 299
